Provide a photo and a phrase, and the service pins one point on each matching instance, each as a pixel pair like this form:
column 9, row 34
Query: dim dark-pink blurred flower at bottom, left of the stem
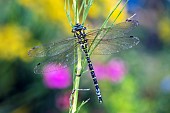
column 62, row 102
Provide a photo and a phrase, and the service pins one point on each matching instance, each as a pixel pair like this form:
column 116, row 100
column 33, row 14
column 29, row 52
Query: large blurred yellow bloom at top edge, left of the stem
column 51, row 10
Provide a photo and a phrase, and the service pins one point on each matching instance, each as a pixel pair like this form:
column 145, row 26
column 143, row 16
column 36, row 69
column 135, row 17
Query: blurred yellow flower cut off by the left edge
column 13, row 42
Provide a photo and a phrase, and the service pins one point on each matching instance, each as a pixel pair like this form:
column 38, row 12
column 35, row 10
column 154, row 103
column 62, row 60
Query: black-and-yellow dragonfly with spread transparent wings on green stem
column 62, row 53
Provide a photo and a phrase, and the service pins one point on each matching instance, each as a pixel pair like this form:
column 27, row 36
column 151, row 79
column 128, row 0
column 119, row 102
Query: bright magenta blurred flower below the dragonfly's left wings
column 56, row 79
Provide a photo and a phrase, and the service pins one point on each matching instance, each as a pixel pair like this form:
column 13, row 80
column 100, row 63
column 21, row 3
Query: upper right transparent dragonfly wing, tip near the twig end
column 118, row 30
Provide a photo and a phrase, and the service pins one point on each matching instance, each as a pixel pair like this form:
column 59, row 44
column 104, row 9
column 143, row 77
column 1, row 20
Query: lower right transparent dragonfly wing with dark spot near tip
column 113, row 45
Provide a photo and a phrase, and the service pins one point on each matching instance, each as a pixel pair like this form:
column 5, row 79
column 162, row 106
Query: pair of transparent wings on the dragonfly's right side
column 113, row 39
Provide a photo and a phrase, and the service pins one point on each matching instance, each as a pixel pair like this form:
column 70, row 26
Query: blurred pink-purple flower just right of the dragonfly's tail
column 113, row 71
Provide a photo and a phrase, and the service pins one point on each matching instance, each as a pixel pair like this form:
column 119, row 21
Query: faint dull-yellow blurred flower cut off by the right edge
column 164, row 29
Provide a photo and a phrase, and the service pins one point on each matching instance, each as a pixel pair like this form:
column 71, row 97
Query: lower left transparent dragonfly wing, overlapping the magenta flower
column 57, row 62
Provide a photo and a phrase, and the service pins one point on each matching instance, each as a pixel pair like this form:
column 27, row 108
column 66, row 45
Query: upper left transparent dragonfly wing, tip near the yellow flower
column 51, row 49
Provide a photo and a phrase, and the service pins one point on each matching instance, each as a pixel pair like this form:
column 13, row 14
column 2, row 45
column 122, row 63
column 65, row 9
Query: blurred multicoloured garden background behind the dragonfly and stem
column 132, row 81
